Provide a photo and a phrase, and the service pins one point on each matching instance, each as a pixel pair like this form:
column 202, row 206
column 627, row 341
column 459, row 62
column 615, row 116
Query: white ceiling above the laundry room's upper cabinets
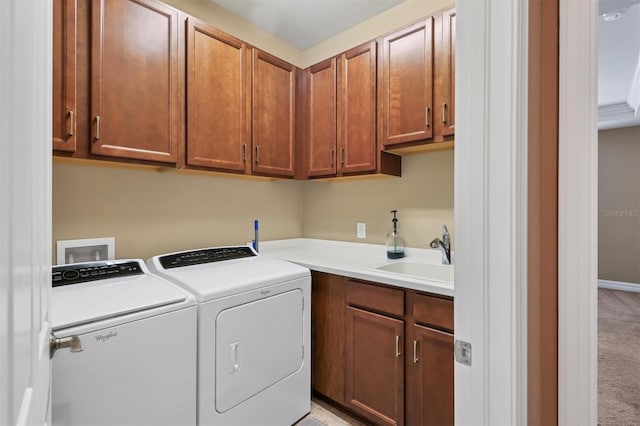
column 305, row 23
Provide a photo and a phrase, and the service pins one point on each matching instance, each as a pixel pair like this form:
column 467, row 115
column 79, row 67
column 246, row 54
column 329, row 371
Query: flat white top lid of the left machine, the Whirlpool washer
column 93, row 301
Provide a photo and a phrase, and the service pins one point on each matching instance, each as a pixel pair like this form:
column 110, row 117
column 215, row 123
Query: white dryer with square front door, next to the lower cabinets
column 254, row 328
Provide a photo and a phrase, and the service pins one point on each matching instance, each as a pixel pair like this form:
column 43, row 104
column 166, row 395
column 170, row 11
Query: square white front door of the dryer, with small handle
column 257, row 344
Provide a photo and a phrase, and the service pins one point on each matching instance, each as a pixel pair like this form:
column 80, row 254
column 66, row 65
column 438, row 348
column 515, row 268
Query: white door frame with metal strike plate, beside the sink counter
column 491, row 210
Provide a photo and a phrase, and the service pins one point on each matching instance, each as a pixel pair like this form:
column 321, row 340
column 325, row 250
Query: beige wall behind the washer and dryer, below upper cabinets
column 151, row 213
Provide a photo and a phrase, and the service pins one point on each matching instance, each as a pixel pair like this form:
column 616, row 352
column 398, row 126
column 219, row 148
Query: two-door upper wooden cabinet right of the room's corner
column 339, row 119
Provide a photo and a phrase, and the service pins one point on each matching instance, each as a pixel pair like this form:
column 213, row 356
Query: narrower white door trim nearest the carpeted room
column 578, row 215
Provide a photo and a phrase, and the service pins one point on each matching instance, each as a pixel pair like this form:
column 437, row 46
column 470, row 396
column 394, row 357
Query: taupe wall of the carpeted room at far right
column 619, row 205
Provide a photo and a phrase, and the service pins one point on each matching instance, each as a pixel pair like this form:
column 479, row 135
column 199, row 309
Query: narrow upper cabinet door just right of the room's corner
column 321, row 126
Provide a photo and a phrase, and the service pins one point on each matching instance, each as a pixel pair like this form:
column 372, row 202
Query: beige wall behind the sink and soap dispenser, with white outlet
column 423, row 197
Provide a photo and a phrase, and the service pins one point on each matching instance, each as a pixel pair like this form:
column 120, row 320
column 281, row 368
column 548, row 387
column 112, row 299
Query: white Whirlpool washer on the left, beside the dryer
column 123, row 348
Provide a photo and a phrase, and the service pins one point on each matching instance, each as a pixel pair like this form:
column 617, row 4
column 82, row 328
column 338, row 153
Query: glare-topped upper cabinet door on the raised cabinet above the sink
column 406, row 93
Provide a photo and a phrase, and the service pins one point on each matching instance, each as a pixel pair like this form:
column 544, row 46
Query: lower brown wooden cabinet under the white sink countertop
column 383, row 353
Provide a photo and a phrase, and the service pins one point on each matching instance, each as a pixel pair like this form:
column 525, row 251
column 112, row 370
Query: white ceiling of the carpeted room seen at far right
column 619, row 65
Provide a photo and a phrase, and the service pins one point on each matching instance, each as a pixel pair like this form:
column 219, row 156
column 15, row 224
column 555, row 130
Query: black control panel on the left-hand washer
column 93, row 271
